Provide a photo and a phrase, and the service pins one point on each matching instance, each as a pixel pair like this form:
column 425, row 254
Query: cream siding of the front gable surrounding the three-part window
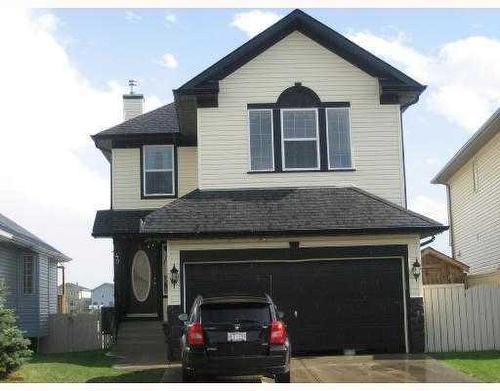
column 376, row 129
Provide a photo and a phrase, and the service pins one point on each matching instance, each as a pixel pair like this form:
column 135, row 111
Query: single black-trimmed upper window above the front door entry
column 159, row 170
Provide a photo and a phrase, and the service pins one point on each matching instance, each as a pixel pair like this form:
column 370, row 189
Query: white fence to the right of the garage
column 460, row 319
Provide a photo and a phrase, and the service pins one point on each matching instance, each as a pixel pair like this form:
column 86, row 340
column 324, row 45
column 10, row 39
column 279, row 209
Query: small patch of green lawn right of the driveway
column 481, row 365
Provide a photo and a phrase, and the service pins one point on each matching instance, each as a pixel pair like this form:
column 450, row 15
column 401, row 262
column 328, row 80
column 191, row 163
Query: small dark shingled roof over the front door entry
column 109, row 222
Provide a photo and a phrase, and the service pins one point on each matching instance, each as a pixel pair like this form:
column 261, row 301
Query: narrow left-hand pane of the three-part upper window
column 261, row 140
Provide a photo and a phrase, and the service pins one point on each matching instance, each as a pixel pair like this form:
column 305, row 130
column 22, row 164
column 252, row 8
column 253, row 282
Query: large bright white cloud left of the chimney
column 53, row 178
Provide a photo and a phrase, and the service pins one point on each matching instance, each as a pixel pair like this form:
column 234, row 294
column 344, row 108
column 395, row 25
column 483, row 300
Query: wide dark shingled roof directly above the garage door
column 284, row 211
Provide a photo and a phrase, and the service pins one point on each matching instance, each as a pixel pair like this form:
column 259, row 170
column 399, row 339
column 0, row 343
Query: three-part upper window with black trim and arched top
column 299, row 133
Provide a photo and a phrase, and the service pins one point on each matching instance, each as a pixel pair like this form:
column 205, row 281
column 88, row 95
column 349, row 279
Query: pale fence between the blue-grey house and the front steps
column 74, row 333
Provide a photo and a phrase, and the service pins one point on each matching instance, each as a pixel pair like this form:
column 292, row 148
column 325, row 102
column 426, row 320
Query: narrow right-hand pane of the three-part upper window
column 338, row 126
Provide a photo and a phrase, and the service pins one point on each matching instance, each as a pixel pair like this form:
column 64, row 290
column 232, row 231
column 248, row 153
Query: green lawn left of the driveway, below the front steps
column 80, row 367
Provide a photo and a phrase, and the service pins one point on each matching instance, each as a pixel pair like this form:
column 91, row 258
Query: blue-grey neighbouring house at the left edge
column 28, row 266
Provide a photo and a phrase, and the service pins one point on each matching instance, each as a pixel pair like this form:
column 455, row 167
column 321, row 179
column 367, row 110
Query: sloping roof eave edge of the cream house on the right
column 485, row 133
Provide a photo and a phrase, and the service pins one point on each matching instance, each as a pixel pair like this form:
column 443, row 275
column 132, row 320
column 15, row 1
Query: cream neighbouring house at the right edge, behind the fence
column 472, row 180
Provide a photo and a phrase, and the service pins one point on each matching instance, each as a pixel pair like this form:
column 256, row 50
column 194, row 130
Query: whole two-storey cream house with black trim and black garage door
column 279, row 169
